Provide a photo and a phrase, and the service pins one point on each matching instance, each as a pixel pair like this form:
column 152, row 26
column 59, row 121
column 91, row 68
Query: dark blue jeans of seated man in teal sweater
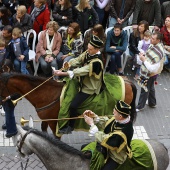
column 115, row 61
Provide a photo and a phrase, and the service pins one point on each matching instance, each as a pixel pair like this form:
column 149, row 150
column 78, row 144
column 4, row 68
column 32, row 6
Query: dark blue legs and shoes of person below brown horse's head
column 10, row 124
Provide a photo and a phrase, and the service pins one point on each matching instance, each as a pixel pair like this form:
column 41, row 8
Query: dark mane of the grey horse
column 58, row 143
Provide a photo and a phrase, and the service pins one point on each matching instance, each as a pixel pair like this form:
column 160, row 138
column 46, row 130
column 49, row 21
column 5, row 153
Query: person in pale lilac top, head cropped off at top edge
column 99, row 6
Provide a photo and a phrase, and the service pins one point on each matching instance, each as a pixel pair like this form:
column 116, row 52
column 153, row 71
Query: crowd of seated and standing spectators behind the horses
column 82, row 19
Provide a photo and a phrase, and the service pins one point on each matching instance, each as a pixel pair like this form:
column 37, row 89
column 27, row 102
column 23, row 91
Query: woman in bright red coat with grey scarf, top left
column 40, row 15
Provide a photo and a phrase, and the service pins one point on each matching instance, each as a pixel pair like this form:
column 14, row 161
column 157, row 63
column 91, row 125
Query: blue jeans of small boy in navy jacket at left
column 20, row 66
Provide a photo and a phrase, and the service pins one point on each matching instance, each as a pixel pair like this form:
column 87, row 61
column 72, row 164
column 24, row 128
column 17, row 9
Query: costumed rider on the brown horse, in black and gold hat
column 89, row 69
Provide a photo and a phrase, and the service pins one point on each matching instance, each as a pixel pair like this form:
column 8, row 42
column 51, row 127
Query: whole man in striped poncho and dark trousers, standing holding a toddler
column 152, row 64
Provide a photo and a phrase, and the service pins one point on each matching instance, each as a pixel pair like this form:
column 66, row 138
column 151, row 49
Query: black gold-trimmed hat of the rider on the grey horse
column 123, row 108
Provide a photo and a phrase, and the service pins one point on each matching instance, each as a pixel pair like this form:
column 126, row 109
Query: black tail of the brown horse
column 133, row 103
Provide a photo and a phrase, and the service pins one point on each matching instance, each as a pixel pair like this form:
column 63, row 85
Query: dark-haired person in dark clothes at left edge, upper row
column 4, row 17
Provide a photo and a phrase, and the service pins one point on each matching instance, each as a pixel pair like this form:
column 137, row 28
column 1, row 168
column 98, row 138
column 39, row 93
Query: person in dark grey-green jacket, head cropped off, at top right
column 148, row 10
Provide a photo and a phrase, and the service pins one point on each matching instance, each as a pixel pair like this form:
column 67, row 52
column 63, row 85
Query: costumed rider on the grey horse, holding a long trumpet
column 112, row 145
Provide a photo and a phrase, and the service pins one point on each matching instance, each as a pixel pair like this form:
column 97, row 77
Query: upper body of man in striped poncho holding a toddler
column 152, row 61
